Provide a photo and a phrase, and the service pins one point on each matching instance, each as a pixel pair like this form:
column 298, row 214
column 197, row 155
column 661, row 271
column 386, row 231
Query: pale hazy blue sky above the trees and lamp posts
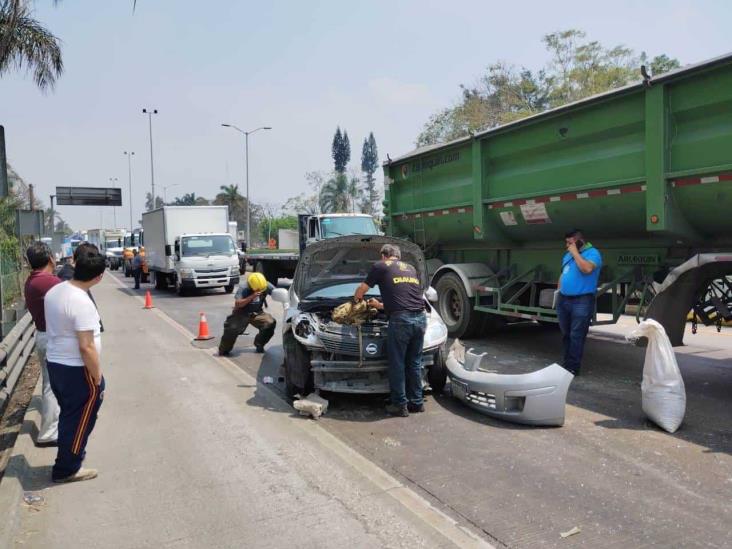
column 302, row 68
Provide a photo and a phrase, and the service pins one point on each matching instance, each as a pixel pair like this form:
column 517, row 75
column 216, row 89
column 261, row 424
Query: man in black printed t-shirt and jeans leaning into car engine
column 401, row 291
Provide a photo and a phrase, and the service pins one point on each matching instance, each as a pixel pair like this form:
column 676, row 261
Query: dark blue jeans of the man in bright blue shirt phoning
column 575, row 314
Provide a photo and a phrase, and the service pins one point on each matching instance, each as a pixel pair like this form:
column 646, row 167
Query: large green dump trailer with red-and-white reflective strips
column 645, row 171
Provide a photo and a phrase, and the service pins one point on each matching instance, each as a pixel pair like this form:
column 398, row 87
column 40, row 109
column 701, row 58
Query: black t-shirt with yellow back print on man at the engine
column 399, row 286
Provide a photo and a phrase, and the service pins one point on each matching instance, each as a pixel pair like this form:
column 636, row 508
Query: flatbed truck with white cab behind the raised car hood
column 281, row 263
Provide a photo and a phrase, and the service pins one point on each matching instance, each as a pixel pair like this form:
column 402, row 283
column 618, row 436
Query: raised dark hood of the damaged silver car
column 348, row 259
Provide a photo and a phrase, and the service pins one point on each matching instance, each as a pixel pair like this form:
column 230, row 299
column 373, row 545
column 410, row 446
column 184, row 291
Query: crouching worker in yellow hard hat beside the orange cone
column 250, row 299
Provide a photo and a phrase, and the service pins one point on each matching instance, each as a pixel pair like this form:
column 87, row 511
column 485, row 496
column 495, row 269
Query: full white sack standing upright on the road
column 662, row 390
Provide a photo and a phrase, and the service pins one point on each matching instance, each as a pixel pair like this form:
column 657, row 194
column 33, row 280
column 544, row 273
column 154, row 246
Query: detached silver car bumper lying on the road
column 536, row 398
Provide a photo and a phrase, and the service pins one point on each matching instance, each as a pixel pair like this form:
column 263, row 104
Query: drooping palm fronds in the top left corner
column 25, row 43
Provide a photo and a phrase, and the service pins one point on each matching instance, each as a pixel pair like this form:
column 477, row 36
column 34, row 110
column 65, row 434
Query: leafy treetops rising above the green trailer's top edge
column 577, row 69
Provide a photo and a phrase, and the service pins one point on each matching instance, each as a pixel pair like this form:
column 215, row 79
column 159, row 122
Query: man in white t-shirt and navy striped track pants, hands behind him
column 74, row 368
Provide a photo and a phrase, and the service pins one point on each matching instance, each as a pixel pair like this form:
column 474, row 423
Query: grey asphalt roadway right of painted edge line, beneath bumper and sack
column 608, row 471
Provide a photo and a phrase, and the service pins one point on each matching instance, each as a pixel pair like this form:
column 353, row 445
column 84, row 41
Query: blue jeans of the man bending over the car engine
column 405, row 339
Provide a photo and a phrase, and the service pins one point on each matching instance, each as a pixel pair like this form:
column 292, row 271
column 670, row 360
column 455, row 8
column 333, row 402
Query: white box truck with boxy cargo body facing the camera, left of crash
column 190, row 247
